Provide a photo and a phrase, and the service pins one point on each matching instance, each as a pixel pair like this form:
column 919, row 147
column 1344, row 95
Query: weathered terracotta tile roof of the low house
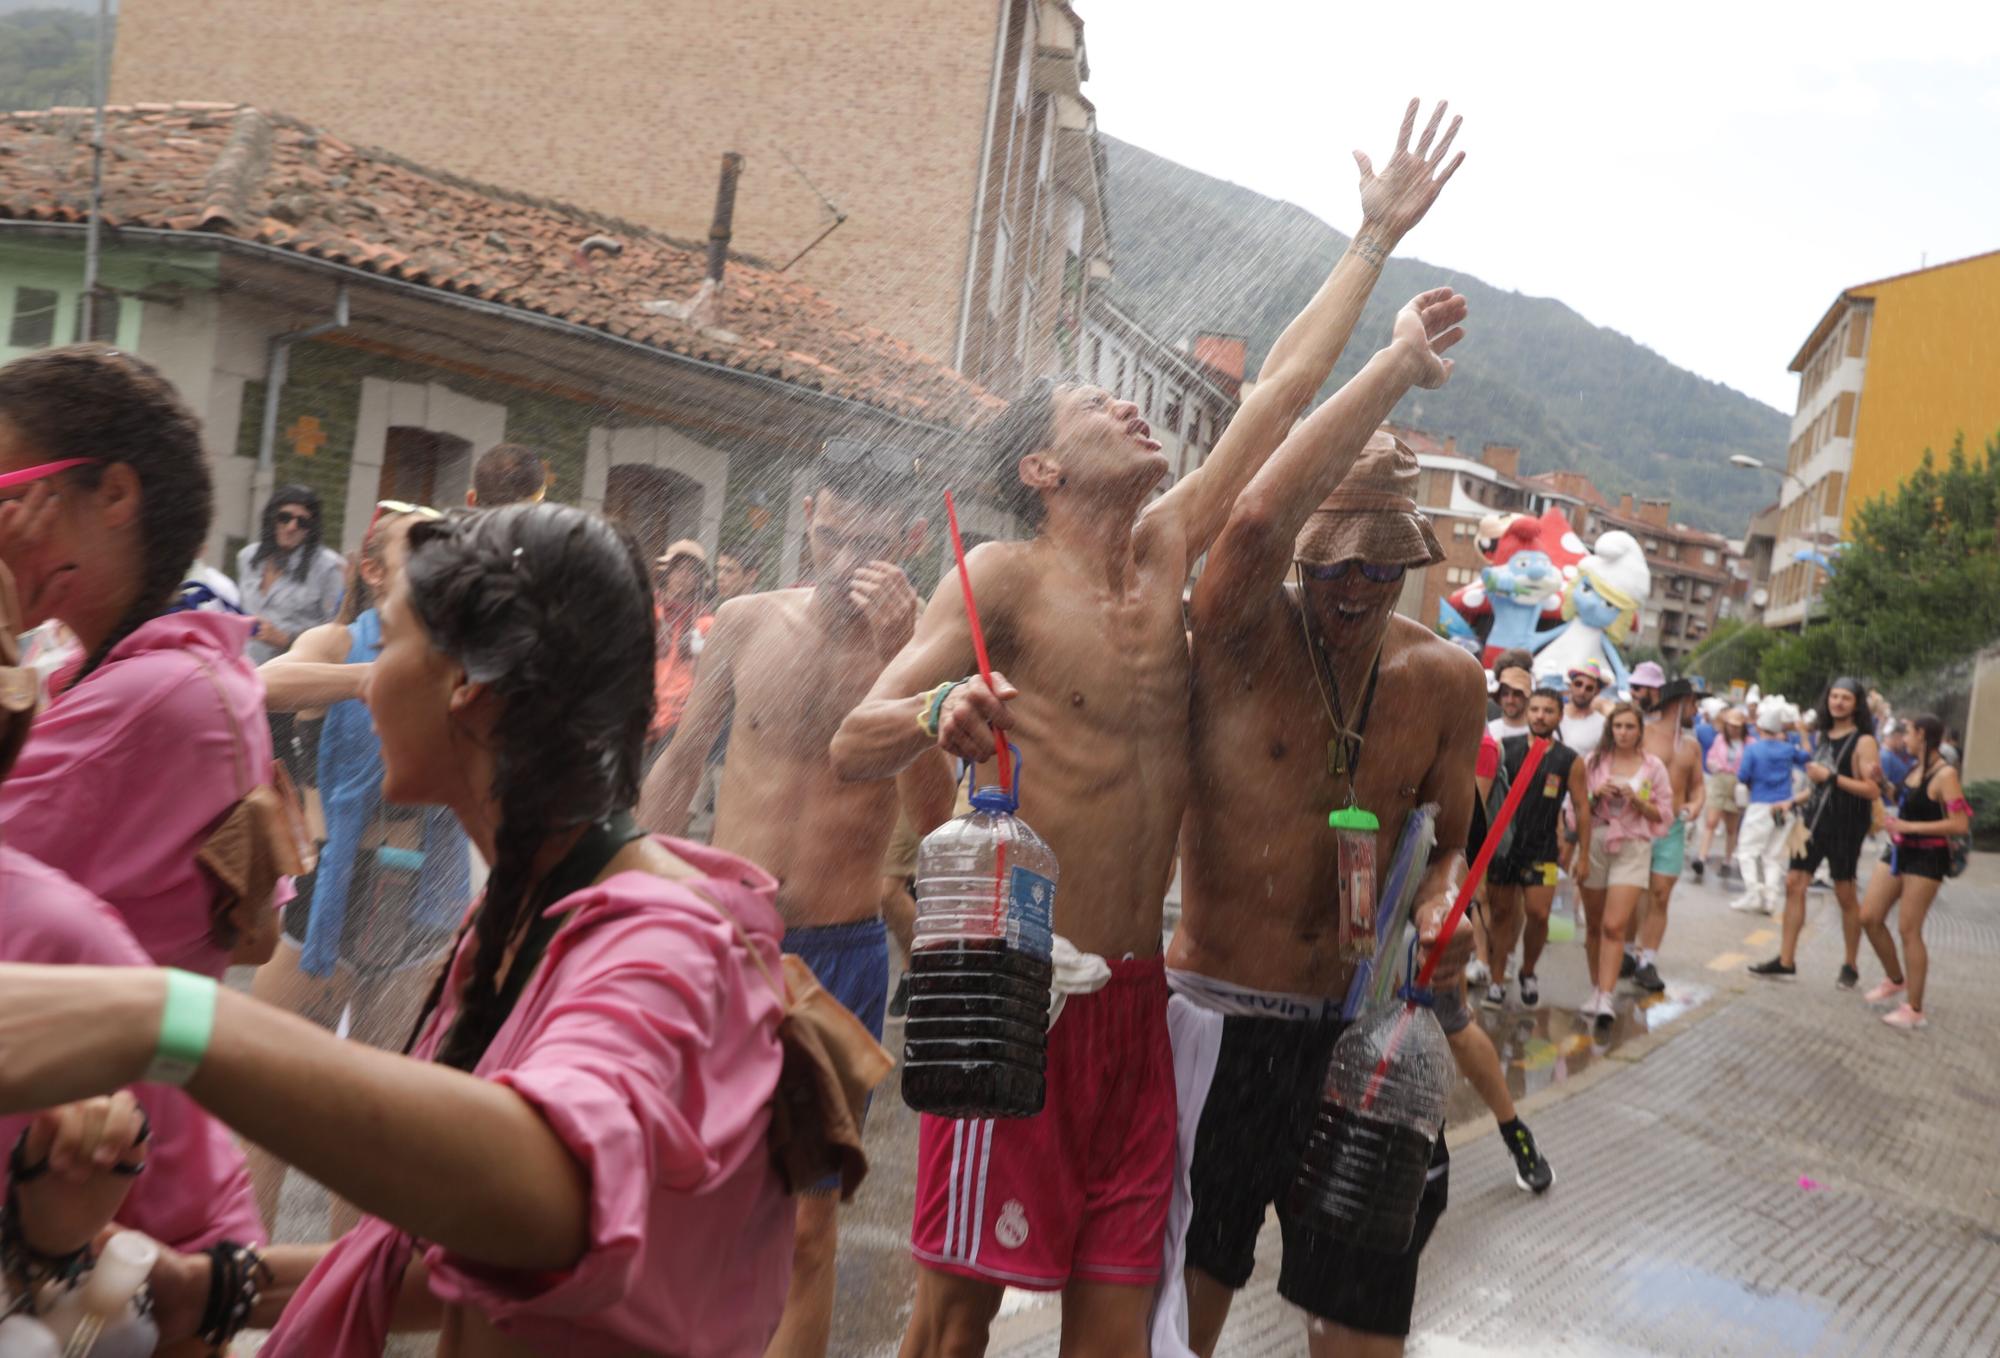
column 249, row 175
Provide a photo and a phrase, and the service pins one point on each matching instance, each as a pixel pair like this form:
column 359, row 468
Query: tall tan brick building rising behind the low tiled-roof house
column 937, row 163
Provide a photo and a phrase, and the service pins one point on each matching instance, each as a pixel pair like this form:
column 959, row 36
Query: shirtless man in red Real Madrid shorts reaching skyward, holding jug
column 1085, row 623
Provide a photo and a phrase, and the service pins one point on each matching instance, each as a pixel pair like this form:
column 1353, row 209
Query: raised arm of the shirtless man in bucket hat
column 1257, row 543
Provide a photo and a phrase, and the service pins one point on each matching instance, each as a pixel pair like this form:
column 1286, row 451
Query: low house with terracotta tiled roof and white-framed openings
column 451, row 317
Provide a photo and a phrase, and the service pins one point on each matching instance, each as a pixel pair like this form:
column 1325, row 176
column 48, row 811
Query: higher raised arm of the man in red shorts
column 1305, row 355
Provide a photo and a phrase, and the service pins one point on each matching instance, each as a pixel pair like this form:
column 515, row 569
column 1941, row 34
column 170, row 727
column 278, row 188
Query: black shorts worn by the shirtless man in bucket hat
column 1253, row 1131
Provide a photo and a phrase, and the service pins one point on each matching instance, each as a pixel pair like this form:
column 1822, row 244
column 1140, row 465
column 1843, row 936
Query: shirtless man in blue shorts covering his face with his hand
column 787, row 667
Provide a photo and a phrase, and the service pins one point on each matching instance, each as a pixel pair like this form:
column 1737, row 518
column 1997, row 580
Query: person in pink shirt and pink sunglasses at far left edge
column 159, row 729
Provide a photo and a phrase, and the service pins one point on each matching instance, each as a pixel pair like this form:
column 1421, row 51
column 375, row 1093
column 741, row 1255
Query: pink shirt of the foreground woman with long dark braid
column 649, row 1041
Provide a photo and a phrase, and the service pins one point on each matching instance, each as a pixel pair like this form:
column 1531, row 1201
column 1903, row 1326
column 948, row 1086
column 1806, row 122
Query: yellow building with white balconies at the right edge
column 1895, row 369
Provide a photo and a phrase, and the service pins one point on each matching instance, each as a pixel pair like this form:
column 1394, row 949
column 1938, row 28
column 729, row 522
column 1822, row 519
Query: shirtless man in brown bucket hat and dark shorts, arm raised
column 1309, row 699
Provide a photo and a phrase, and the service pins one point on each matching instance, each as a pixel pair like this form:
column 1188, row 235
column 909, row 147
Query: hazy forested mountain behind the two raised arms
column 1197, row 253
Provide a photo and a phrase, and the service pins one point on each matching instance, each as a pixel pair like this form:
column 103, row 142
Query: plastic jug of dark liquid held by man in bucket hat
column 1365, row 1165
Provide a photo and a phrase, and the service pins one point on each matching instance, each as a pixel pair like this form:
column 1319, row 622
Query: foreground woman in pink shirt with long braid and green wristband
column 577, row 1159
